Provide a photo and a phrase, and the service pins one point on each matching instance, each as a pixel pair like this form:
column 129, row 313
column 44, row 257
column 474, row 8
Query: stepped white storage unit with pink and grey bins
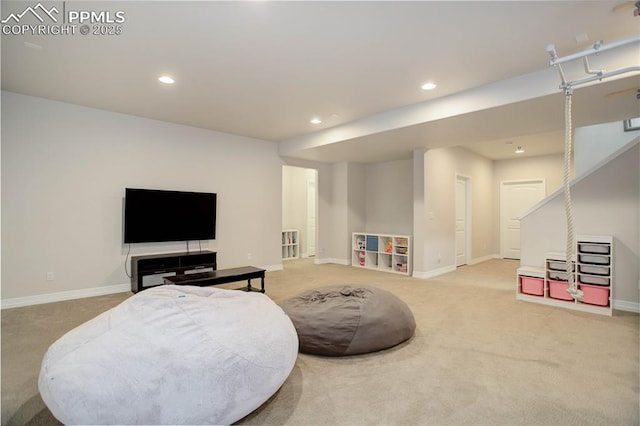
column 592, row 271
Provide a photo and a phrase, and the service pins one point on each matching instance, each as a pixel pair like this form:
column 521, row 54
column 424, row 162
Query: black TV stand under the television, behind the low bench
column 150, row 270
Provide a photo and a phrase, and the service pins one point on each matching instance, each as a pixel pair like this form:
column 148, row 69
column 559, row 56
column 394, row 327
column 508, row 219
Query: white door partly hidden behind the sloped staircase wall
column 516, row 198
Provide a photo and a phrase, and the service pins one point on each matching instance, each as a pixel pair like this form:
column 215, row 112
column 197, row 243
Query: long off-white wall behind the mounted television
column 64, row 170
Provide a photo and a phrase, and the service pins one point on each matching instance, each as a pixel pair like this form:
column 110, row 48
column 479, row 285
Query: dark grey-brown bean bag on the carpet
column 349, row 319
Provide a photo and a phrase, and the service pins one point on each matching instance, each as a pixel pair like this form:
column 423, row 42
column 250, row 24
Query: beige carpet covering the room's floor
column 479, row 357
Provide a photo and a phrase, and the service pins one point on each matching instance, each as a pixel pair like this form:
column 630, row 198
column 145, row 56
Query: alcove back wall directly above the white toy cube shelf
column 389, row 197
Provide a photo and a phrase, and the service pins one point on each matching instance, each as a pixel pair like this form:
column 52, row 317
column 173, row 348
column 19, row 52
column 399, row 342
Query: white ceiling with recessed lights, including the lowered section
column 263, row 69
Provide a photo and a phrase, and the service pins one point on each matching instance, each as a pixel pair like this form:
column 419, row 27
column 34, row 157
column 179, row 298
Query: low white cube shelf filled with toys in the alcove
column 382, row 252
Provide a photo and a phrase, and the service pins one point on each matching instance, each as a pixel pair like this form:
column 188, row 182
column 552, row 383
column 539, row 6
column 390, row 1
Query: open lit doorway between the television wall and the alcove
column 299, row 206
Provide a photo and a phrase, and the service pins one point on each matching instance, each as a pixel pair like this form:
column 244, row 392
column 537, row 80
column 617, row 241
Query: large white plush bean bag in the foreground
column 171, row 355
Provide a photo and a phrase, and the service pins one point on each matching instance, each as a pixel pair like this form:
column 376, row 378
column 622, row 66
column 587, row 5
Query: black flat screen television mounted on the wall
column 152, row 215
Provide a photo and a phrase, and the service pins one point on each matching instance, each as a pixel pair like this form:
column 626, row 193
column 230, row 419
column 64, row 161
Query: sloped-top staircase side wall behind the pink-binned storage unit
column 605, row 202
